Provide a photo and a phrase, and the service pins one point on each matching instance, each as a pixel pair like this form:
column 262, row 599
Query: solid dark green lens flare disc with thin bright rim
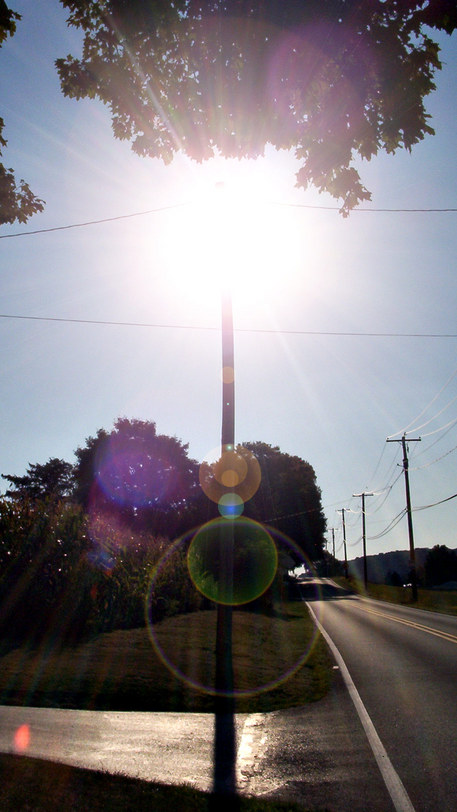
column 232, row 562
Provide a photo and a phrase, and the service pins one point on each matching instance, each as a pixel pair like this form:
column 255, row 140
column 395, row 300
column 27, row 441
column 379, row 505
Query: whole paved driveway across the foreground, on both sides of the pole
column 316, row 755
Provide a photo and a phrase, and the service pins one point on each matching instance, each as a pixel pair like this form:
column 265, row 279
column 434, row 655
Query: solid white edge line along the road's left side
column 392, row 780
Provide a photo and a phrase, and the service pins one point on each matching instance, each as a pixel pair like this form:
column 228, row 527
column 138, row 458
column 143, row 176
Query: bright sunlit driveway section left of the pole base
column 168, row 747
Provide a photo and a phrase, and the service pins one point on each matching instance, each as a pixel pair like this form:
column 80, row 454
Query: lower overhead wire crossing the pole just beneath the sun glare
column 105, row 322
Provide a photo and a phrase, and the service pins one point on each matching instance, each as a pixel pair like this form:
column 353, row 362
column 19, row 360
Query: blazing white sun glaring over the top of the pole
column 232, row 235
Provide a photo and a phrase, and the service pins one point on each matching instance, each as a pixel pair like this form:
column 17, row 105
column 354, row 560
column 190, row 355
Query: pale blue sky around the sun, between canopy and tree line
column 330, row 399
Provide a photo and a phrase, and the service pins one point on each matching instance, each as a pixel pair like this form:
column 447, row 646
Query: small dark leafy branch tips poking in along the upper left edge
column 17, row 202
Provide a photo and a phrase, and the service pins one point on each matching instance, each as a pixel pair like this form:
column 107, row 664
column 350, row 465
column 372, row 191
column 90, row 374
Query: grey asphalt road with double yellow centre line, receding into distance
column 403, row 663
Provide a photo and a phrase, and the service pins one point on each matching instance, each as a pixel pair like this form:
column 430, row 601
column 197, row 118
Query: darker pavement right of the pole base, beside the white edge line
column 318, row 755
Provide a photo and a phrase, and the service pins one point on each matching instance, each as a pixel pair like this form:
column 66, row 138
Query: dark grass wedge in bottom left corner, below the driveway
column 28, row 784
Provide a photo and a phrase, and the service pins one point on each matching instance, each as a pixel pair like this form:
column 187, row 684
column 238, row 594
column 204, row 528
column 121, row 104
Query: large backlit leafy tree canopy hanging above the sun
column 336, row 80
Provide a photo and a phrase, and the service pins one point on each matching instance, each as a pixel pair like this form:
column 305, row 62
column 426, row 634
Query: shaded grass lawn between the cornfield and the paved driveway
column 279, row 662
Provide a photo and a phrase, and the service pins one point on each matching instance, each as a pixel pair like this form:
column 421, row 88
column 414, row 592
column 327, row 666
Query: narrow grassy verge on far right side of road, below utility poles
column 431, row 599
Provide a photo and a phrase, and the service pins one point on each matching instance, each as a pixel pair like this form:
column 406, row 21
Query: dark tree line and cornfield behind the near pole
column 79, row 541
